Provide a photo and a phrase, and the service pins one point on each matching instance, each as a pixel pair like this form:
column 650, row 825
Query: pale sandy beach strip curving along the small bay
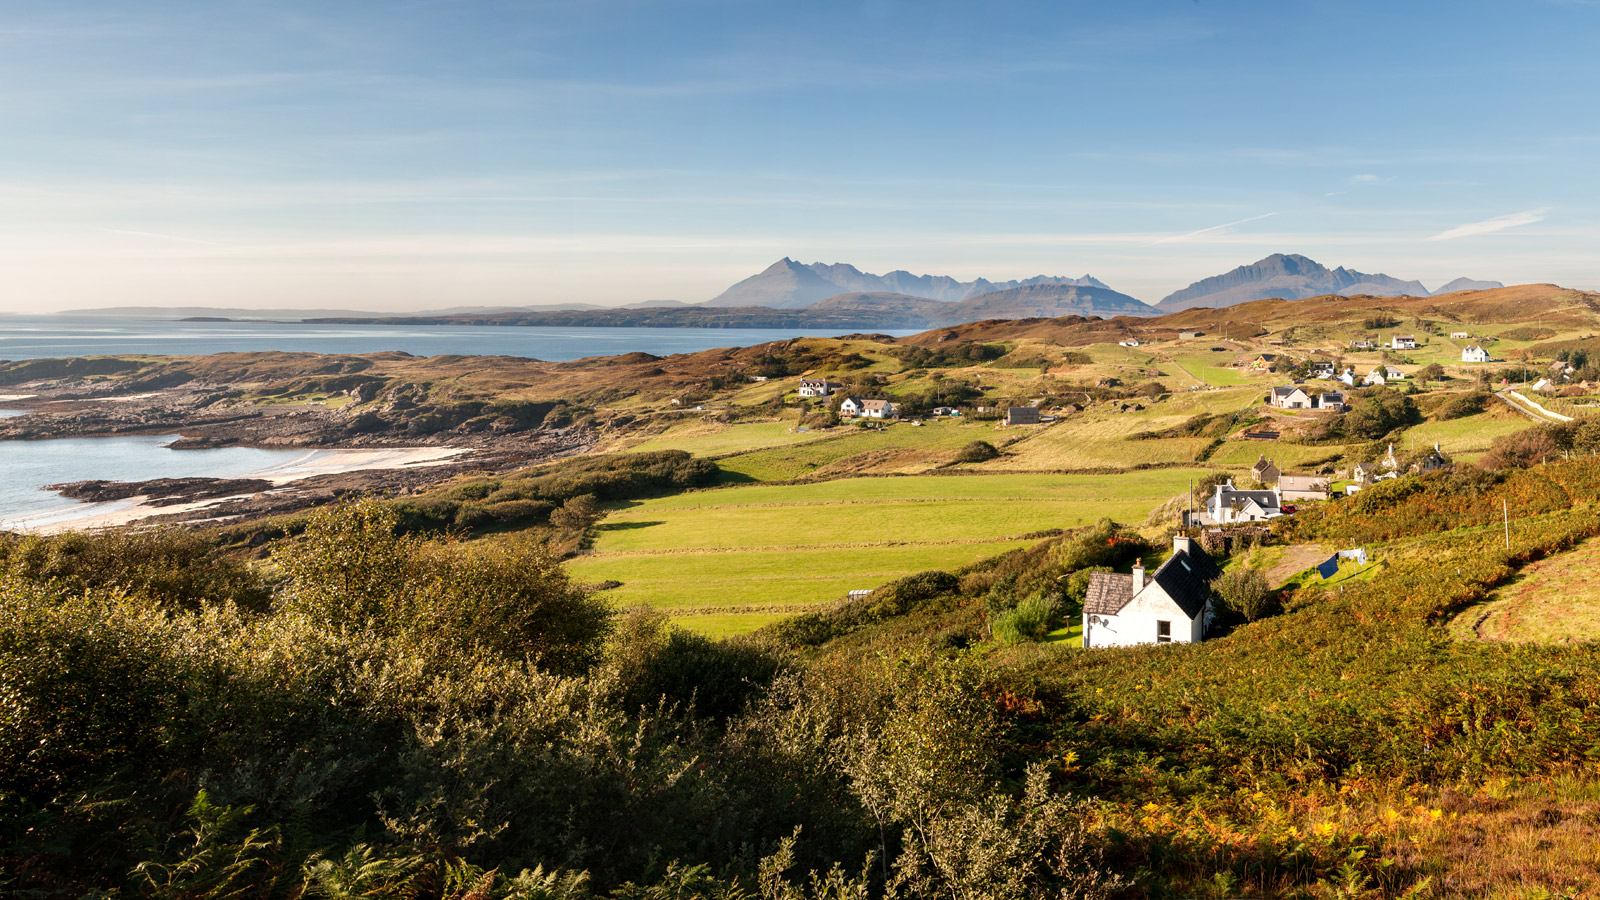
column 118, row 513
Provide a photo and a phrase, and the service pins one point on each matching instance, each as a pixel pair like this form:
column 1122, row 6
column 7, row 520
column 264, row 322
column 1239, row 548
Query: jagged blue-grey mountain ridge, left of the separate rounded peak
column 791, row 286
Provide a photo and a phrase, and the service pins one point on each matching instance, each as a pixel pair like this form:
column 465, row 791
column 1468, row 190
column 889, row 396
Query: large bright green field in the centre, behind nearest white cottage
column 732, row 560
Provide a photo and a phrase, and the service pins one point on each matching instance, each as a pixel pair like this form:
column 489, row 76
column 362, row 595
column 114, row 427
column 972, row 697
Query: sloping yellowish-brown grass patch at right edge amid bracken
column 1551, row 601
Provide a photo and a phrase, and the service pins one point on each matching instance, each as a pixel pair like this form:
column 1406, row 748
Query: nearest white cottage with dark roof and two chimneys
column 1170, row 606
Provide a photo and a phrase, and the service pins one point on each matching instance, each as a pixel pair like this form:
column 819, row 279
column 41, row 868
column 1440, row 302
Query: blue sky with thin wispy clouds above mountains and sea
column 430, row 155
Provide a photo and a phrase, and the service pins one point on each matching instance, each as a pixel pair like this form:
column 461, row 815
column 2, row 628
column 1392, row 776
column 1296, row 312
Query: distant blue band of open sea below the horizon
column 36, row 337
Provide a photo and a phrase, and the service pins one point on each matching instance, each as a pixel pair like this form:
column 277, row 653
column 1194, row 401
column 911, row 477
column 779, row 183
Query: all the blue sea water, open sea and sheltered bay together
column 31, row 465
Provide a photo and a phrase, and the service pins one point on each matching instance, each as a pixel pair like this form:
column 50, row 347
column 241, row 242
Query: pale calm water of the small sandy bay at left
column 31, row 465
